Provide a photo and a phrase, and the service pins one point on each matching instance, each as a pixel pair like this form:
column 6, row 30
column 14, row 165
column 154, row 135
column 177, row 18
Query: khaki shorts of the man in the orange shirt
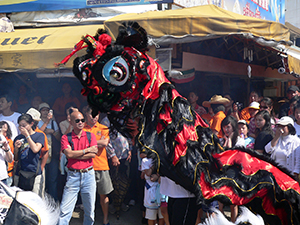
column 103, row 181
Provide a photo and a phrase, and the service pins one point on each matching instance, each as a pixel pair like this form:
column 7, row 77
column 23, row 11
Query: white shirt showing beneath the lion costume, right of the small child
column 173, row 190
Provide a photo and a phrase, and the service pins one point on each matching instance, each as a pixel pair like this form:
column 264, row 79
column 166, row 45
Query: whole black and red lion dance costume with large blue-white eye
column 127, row 84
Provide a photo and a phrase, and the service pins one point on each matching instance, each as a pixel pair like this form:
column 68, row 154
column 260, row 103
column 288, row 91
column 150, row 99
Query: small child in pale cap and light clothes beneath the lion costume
column 152, row 195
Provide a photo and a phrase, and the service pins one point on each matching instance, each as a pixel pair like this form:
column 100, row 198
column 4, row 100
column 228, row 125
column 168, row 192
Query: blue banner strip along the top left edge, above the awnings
column 7, row 6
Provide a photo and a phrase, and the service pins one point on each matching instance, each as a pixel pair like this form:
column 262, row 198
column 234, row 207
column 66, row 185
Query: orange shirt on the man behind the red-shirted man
column 100, row 161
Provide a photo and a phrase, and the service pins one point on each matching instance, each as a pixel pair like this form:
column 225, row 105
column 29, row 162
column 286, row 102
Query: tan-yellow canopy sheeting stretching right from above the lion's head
column 196, row 23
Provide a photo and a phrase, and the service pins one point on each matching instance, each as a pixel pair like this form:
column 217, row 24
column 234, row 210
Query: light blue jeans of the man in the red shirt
column 86, row 184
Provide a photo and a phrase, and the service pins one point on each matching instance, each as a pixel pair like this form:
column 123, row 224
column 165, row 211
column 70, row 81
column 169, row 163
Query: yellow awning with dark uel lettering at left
column 40, row 48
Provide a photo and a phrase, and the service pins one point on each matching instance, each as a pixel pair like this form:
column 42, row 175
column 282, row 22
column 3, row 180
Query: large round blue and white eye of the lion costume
column 116, row 71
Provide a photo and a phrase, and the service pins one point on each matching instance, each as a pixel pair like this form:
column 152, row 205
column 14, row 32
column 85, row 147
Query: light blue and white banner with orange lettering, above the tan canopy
column 273, row 10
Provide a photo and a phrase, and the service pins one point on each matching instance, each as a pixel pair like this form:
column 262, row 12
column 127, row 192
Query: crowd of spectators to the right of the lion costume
column 259, row 128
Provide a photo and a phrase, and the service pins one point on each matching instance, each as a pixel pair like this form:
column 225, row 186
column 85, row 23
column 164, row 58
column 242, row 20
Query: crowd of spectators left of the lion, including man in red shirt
column 61, row 151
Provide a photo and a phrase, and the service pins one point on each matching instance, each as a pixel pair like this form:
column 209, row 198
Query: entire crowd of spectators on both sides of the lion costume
column 63, row 151
